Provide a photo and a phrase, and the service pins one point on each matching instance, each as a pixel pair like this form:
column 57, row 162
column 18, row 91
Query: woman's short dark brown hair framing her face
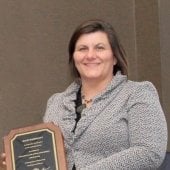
column 91, row 26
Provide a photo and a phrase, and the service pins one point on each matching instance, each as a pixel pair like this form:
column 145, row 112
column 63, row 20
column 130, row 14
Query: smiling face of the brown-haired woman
column 93, row 57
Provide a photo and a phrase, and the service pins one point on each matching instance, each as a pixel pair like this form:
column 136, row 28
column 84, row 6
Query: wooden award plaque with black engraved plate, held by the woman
column 37, row 147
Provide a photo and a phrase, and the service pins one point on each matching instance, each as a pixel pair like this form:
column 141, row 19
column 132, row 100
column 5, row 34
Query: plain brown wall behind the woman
column 34, row 36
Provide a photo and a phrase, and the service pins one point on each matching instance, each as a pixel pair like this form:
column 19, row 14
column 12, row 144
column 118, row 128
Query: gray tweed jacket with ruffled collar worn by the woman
column 124, row 129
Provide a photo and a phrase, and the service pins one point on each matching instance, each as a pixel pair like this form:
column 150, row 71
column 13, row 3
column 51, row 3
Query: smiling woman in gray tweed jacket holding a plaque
column 107, row 121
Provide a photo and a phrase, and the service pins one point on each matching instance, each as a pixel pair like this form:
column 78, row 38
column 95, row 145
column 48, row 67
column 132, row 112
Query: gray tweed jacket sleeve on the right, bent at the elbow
column 147, row 134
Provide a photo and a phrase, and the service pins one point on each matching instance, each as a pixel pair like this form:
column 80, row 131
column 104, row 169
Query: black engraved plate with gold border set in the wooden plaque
column 34, row 150
